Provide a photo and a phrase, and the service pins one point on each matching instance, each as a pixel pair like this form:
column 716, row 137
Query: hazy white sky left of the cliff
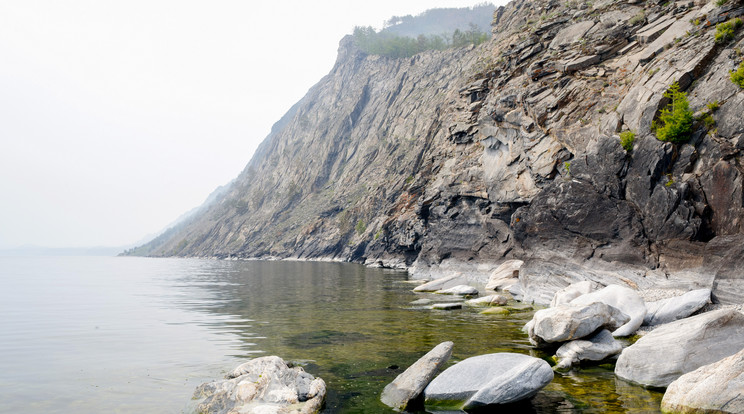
column 118, row 116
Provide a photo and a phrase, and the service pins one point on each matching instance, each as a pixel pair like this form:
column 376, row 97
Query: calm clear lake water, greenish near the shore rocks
column 137, row 335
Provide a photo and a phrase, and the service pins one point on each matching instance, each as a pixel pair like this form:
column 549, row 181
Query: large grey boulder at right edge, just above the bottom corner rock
column 679, row 347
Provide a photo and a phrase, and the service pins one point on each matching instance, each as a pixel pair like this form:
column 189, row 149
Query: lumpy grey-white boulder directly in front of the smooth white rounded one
column 566, row 322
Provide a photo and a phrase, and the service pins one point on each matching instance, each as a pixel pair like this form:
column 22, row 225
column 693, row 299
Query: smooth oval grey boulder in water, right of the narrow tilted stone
column 491, row 379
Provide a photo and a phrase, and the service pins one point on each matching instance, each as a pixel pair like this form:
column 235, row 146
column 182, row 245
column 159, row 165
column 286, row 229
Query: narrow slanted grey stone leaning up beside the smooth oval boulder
column 409, row 385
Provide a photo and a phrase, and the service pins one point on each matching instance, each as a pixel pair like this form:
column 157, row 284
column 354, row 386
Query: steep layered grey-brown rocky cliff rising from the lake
column 457, row 160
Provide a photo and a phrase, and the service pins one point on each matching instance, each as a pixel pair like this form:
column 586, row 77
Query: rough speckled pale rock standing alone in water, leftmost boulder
column 263, row 385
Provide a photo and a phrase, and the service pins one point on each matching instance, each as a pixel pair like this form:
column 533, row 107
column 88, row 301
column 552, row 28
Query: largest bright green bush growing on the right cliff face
column 675, row 120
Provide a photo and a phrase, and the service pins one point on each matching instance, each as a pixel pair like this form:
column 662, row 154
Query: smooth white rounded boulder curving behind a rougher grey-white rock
column 625, row 299
